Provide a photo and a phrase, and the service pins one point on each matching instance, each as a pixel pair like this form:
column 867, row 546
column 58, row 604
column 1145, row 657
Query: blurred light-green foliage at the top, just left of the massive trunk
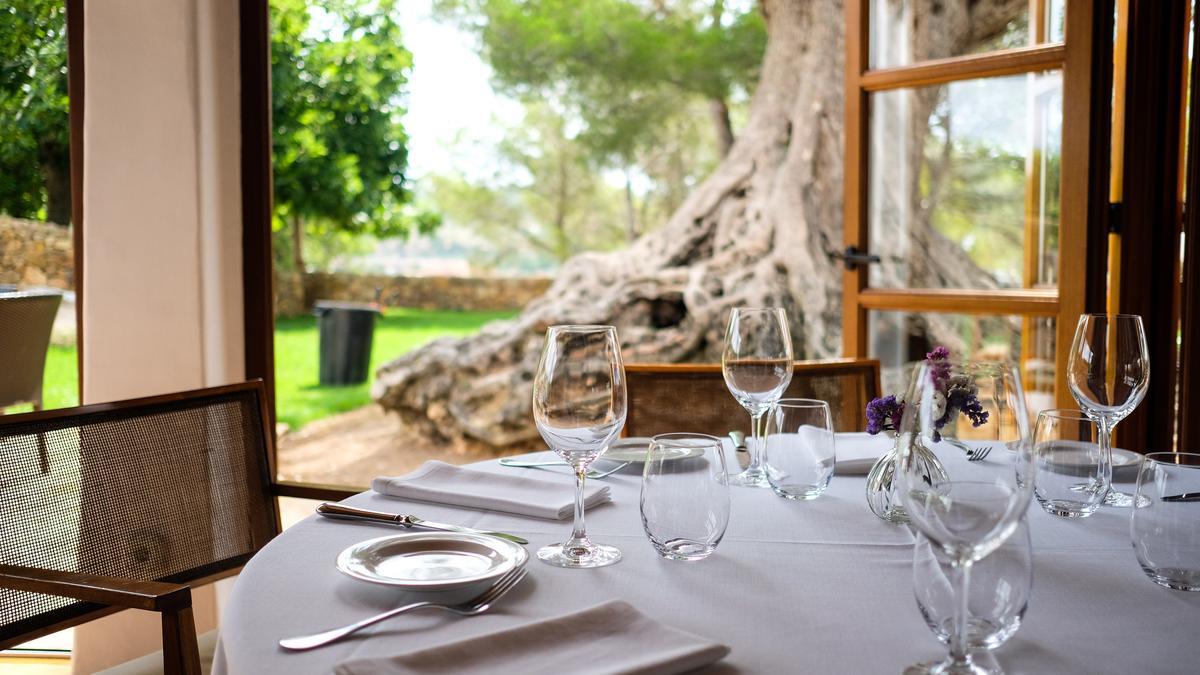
column 622, row 67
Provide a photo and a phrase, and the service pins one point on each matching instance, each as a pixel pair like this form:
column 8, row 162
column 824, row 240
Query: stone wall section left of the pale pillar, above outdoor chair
column 35, row 254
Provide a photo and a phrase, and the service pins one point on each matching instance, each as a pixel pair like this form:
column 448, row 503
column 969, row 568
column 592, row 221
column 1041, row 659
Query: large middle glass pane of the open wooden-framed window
column 964, row 184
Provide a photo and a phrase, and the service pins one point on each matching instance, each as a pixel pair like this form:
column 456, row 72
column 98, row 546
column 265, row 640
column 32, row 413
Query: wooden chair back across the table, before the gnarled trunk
column 665, row 398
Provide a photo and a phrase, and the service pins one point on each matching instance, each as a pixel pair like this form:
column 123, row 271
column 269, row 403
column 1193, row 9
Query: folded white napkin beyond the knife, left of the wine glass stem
column 448, row 485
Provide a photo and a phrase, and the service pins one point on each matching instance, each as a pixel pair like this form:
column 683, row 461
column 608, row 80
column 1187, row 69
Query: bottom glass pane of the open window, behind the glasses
column 901, row 339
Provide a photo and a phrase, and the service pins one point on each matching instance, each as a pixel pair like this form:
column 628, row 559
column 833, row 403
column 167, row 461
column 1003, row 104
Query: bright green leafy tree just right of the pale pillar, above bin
column 339, row 74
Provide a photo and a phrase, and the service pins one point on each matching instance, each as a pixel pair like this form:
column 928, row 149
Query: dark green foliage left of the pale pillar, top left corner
column 35, row 165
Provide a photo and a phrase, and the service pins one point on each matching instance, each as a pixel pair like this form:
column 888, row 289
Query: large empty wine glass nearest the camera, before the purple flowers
column 967, row 509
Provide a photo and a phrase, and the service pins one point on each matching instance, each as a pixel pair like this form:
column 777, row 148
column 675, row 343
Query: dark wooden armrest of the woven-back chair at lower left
column 154, row 596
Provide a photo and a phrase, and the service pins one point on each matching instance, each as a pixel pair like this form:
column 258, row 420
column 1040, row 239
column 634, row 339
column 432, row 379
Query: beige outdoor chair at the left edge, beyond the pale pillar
column 26, row 324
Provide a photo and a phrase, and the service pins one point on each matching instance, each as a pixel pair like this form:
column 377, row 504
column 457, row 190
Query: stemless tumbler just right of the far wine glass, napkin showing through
column 800, row 447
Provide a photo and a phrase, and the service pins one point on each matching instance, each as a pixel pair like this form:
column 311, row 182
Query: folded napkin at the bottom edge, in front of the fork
column 608, row 640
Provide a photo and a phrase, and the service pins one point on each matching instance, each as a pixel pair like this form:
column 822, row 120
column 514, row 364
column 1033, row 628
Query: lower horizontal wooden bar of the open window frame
column 1025, row 302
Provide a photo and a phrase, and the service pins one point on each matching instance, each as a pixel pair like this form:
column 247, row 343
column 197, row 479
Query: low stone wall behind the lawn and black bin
column 422, row 292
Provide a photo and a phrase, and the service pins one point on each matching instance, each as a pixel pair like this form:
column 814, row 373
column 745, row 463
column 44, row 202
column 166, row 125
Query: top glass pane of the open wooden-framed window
column 908, row 32
